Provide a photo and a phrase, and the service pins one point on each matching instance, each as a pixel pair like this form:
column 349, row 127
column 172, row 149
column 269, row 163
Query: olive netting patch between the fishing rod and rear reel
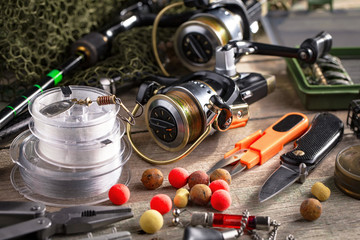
column 131, row 60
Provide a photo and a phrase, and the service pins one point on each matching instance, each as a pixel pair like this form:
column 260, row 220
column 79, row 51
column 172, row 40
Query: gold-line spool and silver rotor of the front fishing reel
column 178, row 116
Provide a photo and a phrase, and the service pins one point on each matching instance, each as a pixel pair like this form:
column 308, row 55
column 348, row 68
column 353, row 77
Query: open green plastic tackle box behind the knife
column 328, row 97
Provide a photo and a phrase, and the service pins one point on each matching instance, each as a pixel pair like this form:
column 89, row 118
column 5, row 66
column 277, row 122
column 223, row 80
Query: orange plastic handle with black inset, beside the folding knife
column 273, row 139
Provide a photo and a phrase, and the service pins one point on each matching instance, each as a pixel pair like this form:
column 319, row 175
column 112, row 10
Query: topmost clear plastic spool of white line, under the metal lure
column 78, row 124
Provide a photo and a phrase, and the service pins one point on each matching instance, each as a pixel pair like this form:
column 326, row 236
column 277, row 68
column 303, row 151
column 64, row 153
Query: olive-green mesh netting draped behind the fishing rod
column 36, row 37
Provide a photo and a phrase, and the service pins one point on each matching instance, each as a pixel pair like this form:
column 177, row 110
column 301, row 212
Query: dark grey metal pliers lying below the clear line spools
column 31, row 218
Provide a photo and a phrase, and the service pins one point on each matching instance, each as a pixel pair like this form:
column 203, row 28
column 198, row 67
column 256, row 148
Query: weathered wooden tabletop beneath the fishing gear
column 340, row 218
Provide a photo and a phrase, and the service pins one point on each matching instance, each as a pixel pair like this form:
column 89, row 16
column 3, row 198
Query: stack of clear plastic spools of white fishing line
column 74, row 156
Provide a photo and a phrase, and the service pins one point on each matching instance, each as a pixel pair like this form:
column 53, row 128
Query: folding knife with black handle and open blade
column 324, row 133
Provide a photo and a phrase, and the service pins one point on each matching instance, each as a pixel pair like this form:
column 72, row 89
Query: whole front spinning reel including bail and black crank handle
column 180, row 111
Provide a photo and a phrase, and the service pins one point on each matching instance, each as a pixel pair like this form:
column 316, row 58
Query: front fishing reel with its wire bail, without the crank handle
column 195, row 106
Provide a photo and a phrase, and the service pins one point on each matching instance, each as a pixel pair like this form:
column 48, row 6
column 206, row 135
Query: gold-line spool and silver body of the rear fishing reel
column 197, row 39
